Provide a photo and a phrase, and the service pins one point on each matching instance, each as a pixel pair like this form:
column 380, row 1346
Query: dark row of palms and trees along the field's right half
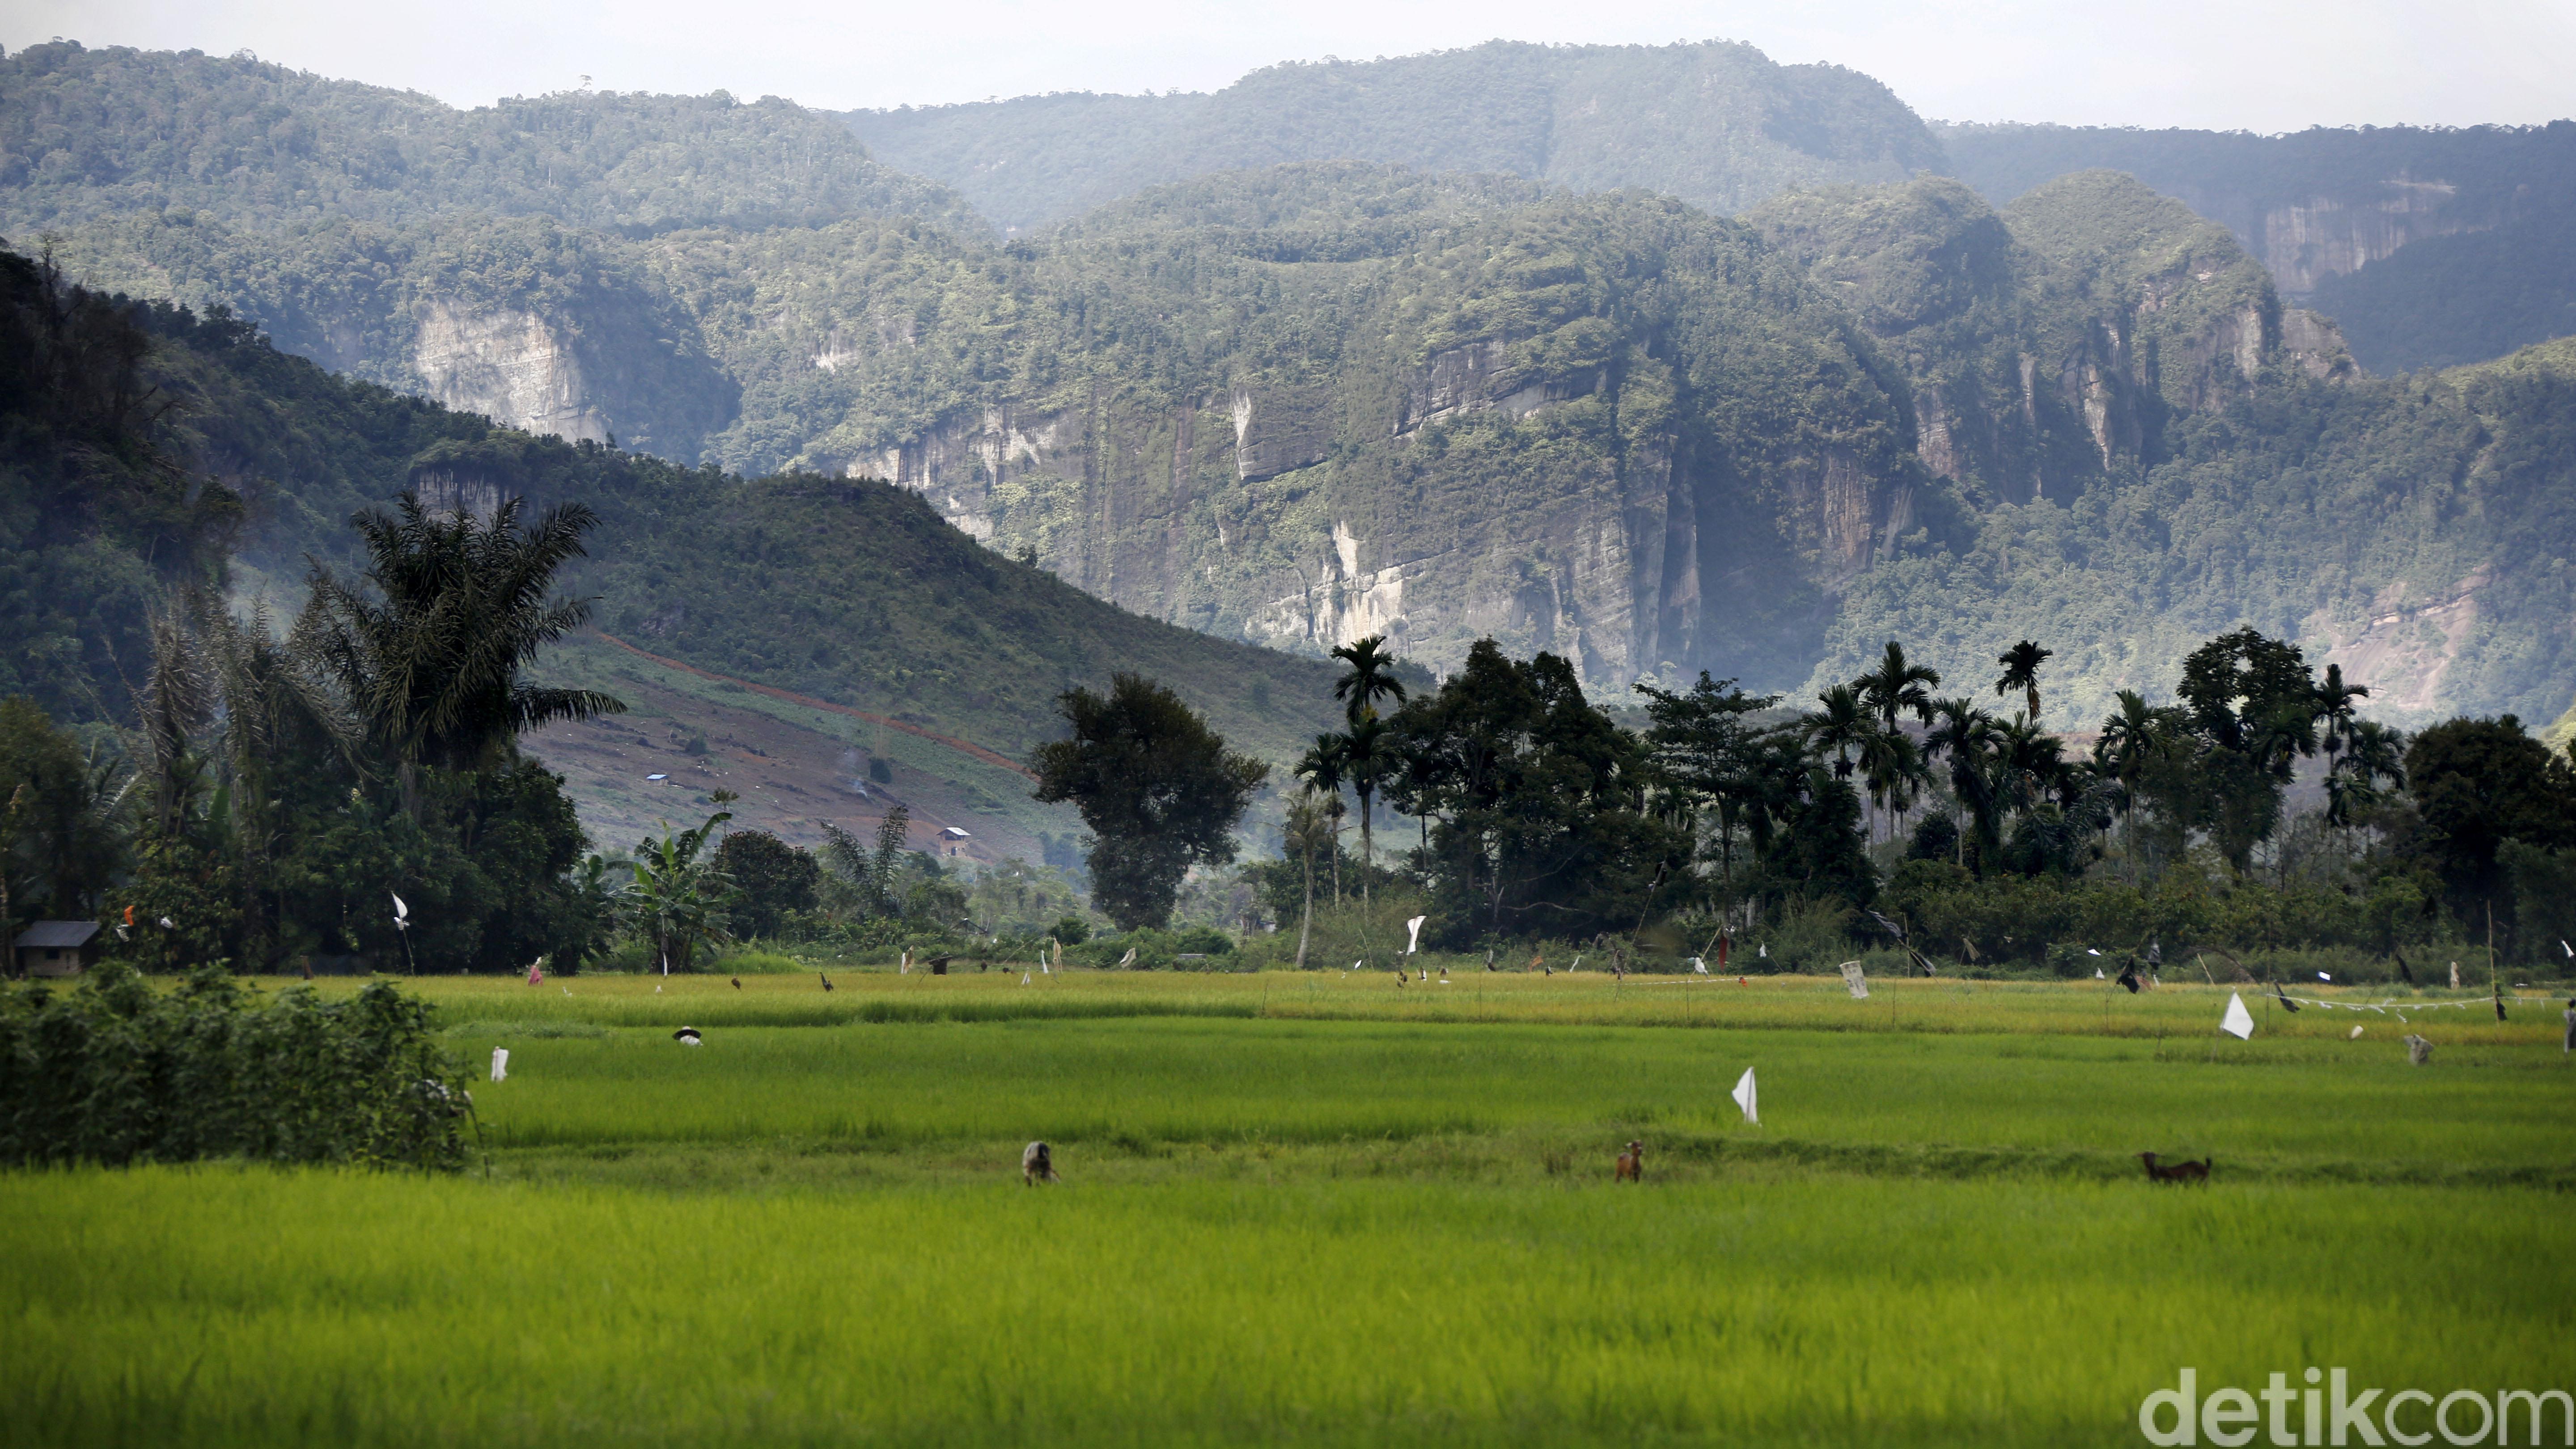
column 1967, row 834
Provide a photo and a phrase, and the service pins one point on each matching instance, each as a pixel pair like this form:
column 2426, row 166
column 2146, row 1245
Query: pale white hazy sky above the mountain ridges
column 2173, row 63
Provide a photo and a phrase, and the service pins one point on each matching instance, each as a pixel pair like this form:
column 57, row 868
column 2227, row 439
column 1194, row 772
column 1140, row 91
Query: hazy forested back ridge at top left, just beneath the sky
column 120, row 130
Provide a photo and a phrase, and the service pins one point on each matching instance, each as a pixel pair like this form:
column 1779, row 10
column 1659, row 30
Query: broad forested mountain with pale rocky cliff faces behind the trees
column 1318, row 401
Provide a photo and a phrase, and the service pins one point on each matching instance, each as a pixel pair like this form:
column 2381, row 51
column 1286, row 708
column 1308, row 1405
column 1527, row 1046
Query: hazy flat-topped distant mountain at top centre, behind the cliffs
column 1717, row 125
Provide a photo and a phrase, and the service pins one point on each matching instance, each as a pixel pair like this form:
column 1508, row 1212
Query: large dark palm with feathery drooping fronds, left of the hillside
column 431, row 656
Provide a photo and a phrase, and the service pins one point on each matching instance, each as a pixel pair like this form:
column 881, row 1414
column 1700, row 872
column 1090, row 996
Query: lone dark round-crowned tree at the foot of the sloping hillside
column 1155, row 785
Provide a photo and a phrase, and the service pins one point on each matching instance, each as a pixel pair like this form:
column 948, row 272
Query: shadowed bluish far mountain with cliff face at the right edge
column 2430, row 246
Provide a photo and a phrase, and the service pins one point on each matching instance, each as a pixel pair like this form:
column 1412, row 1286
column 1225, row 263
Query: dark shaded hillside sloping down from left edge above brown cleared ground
column 225, row 452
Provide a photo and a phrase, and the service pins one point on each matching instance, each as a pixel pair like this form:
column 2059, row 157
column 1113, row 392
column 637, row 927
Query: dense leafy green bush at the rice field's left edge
column 122, row 1074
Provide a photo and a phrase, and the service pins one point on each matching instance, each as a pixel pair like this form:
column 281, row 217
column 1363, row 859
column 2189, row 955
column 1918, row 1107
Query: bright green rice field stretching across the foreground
column 1331, row 1211
